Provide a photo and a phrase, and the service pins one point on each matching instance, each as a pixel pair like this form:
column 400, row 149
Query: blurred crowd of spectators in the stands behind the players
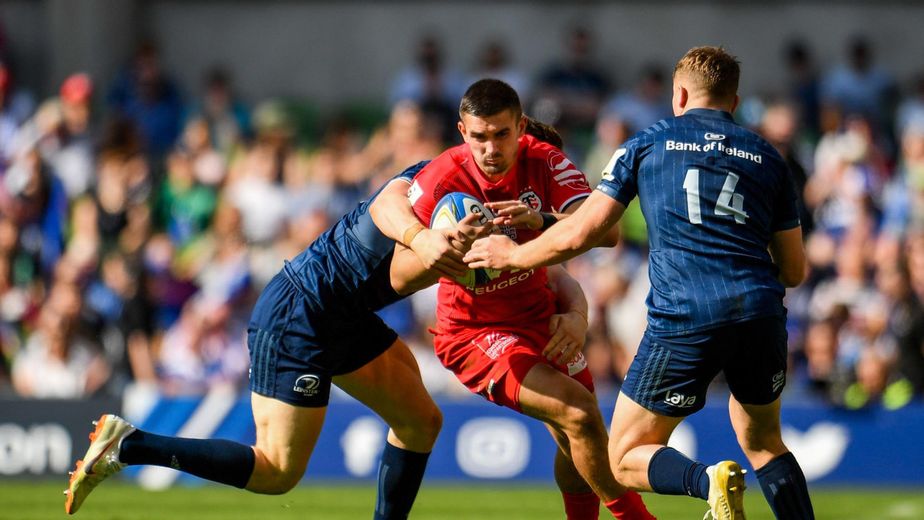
column 140, row 219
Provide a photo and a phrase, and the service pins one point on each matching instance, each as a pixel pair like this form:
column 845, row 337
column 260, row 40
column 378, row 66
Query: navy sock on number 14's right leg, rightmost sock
column 784, row 486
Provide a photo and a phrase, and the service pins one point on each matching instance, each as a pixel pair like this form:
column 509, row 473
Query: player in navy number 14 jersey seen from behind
column 725, row 240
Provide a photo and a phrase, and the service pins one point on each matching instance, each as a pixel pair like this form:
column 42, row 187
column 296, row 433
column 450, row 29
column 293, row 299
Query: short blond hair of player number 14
column 711, row 69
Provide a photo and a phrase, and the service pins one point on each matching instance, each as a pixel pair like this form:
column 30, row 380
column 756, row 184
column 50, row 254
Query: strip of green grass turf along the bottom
column 437, row 501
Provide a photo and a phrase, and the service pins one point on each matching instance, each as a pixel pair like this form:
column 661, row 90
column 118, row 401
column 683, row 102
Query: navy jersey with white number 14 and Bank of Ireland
column 712, row 193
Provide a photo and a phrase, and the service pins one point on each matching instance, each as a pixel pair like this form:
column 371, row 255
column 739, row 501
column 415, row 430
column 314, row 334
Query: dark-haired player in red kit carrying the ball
column 496, row 337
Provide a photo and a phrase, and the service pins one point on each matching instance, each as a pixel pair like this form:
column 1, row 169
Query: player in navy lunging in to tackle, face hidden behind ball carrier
column 315, row 325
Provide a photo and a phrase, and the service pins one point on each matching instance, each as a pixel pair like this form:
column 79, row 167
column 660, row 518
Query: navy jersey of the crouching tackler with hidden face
column 348, row 266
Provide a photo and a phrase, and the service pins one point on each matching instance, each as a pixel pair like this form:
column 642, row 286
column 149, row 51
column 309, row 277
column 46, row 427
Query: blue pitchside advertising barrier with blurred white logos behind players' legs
column 479, row 441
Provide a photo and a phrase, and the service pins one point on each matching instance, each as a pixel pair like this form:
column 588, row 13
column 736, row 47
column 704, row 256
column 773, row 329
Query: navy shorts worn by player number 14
column 670, row 374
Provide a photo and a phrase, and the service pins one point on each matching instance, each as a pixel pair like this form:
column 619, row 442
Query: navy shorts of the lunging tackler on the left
column 296, row 349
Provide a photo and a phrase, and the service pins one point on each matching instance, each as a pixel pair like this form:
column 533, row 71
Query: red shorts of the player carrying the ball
column 493, row 362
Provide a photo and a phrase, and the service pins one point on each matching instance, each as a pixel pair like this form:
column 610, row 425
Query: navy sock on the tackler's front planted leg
column 400, row 474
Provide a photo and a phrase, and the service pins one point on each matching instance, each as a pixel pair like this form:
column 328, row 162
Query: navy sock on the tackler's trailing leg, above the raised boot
column 217, row 460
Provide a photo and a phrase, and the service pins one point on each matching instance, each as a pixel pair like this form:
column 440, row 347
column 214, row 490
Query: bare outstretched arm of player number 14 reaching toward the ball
column 566, row 239
